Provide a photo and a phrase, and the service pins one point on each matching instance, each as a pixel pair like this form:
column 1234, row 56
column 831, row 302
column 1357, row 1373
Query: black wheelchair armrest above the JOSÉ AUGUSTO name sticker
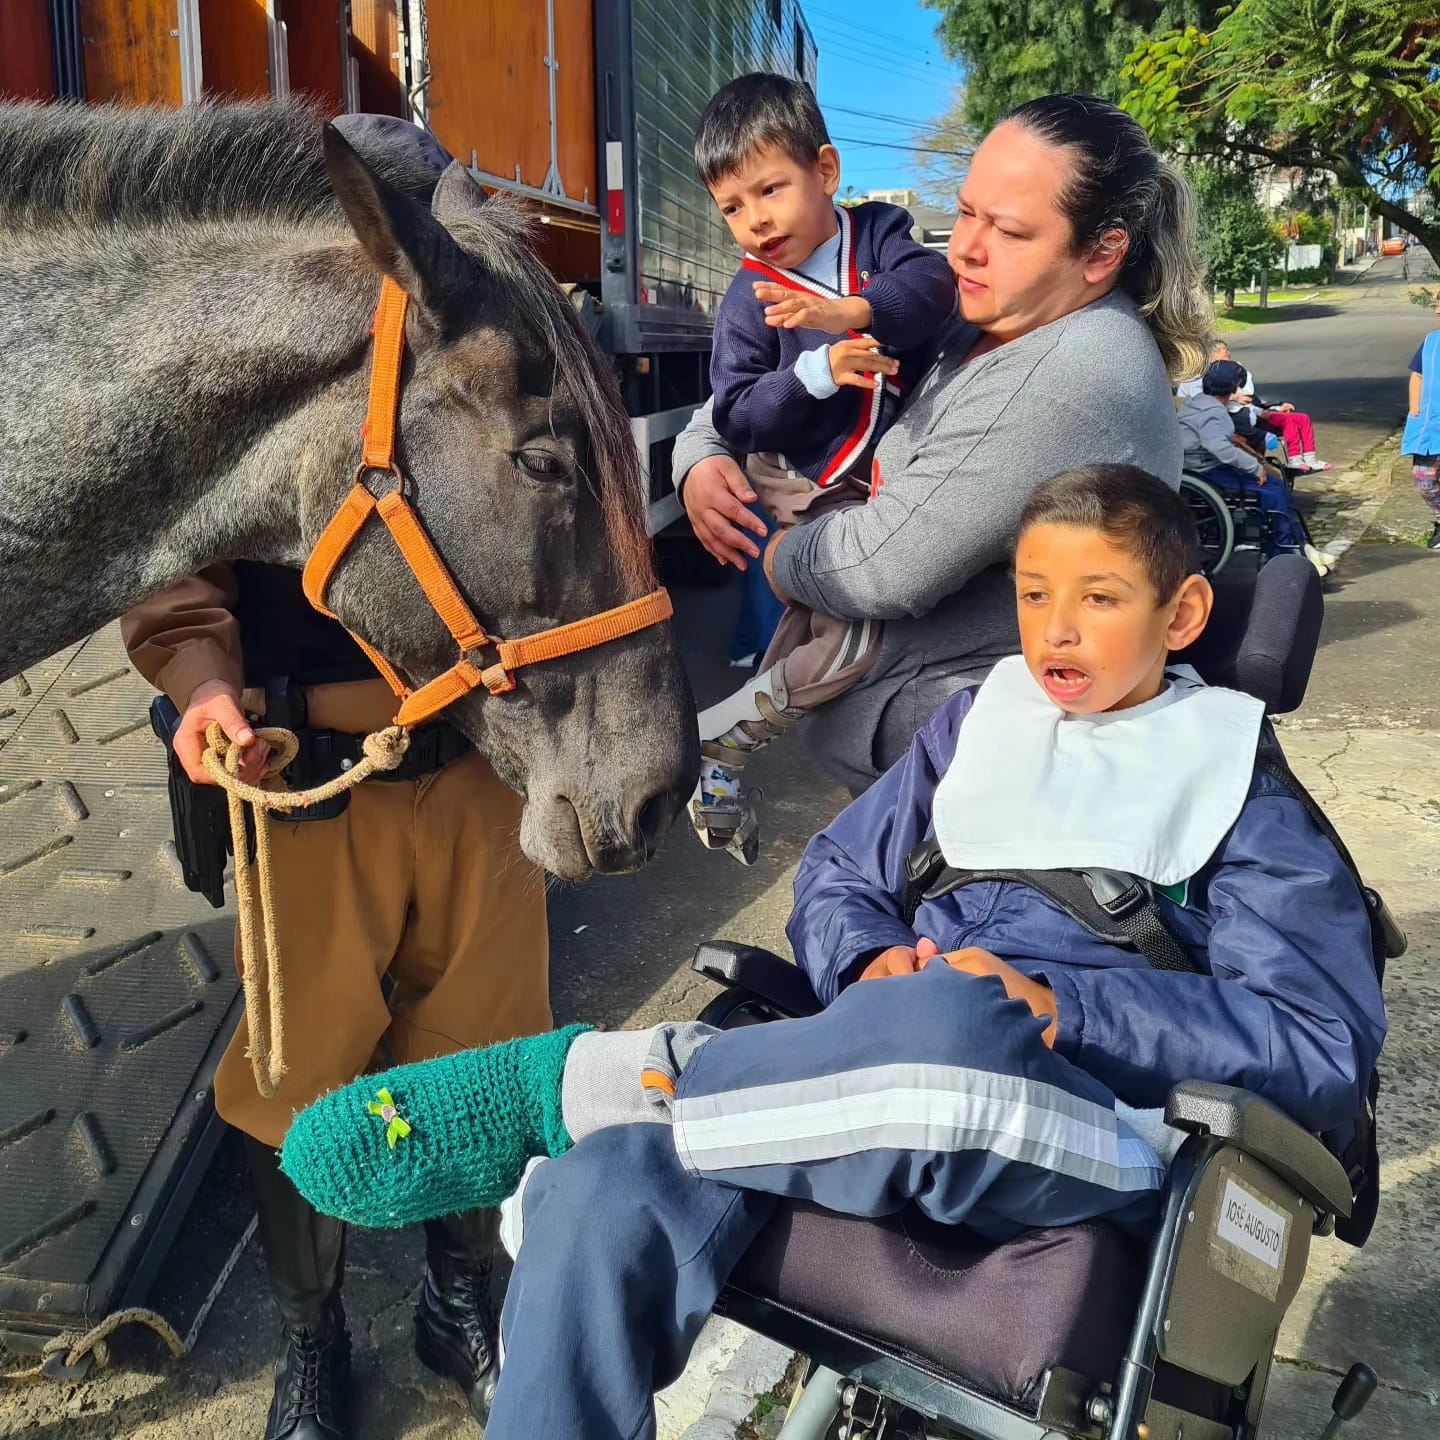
column 1258, row 1128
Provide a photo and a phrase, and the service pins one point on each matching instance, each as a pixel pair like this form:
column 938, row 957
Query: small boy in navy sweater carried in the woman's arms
column 804, row 387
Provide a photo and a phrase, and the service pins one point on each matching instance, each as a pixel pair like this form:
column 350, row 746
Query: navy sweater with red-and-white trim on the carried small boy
column 761, row 404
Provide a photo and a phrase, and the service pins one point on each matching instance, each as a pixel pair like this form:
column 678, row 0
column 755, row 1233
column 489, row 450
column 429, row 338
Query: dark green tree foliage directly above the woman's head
column 1013, row 53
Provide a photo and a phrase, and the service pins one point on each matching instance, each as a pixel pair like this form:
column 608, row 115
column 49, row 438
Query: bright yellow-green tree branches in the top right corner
column 1343, row 87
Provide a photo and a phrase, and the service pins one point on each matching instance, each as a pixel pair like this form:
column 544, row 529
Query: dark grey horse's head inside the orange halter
column 518, row 457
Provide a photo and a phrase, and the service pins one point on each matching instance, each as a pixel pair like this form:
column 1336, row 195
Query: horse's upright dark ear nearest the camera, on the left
column 398, row 234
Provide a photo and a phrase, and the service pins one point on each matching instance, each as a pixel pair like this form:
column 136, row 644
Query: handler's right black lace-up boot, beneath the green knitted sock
column 457, row 1330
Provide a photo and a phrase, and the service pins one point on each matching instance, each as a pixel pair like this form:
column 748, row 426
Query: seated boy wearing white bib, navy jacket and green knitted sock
column 990, row 1062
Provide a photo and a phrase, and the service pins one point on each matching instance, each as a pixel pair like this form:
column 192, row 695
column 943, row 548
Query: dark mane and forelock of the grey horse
column 109, row 168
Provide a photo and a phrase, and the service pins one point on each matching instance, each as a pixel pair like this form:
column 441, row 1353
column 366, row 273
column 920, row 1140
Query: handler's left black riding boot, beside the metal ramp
column 305, row 1255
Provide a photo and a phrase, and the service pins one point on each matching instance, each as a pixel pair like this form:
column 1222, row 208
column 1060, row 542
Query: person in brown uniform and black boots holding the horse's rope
column 413, row 927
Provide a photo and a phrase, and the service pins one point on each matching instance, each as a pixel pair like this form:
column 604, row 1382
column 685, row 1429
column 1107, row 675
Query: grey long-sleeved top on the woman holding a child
column 931, row 554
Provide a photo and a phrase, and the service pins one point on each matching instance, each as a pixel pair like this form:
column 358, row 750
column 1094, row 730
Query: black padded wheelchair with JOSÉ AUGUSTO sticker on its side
column 915, row 1331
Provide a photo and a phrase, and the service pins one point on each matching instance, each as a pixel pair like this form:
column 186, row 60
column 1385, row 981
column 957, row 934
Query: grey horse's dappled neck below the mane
column 178, row 413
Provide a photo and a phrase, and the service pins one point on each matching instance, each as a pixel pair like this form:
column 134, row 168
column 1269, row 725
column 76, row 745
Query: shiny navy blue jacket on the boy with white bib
column 1288, row 1004
